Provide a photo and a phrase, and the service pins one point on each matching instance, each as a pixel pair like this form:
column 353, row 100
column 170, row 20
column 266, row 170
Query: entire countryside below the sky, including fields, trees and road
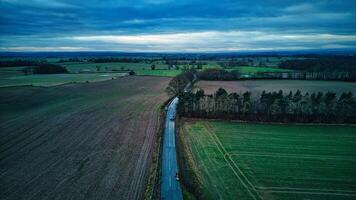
column 98, row 127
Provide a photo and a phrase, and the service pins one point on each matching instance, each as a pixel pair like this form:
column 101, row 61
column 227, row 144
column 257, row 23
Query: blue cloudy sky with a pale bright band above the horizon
column 177, row 25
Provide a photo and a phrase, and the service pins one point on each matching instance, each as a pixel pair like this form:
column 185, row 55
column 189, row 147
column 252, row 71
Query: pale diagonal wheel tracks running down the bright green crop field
column 223, row 151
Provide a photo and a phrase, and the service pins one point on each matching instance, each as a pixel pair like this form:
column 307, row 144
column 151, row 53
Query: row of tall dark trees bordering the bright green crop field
column 270, row 106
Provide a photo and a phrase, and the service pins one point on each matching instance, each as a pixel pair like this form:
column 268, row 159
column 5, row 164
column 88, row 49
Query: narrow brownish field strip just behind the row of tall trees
column 274, row 85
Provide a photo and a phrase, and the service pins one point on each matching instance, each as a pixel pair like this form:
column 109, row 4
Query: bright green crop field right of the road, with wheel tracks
column 235, row 160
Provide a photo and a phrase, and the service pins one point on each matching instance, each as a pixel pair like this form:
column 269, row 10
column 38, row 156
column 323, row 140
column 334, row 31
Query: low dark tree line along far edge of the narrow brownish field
column 220, row 74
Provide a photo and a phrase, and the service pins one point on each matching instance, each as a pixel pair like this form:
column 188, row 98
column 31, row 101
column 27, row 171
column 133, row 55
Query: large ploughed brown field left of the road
column 79, row 141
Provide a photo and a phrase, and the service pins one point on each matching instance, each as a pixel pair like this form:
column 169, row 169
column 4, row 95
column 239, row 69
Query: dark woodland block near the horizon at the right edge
column 322, row 64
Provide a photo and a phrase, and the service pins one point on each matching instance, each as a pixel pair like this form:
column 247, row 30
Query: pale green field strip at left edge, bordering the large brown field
column 56, row 79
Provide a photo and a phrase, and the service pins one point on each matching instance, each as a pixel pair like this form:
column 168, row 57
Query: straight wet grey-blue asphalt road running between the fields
column 170, row 187
